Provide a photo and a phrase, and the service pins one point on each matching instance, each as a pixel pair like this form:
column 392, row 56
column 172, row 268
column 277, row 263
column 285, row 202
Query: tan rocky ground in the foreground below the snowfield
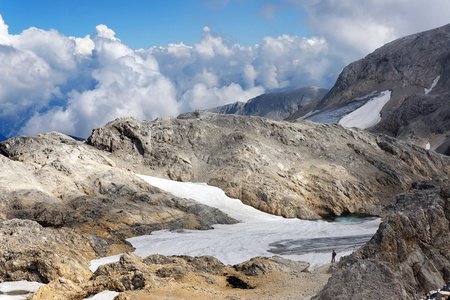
column 184, row 277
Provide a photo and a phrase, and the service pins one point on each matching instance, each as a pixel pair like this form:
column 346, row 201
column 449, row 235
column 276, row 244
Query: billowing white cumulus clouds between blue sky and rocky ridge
column 51, row 82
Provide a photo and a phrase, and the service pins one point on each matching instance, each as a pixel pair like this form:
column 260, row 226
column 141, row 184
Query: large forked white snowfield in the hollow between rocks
column 237, row 243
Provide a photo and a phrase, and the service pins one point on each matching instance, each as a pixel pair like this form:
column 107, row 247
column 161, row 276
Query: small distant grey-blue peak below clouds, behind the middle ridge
column 275, row 106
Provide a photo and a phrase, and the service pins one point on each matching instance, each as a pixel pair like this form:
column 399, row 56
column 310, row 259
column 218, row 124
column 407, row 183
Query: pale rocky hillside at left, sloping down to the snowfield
column 64, row 203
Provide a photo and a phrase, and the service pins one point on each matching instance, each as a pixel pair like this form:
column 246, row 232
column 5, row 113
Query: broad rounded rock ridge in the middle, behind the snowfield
column 300, row 169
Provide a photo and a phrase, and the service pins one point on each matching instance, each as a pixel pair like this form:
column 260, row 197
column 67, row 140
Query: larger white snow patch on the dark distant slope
column 367, row 115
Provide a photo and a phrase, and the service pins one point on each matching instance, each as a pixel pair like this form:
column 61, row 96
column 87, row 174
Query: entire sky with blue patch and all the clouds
column 71, row 66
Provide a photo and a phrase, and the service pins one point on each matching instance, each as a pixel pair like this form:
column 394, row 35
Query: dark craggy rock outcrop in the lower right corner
column 407, row 257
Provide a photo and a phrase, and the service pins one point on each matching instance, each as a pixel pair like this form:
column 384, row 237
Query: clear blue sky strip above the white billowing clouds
column 144, row 23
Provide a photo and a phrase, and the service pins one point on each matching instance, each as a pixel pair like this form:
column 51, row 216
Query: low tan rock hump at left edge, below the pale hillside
column 34, row 253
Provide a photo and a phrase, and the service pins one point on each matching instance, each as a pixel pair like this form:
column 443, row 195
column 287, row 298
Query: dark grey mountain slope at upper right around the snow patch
column 416, row 71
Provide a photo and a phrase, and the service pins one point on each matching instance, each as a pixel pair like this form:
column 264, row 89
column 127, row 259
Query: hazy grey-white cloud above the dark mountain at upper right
column 355, row 28
